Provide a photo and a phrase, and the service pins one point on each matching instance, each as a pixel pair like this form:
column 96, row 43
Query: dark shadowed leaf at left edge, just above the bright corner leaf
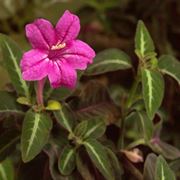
column 8, row 141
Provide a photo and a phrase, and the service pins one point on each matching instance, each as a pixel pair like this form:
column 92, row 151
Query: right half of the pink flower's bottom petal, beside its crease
column 68, row 75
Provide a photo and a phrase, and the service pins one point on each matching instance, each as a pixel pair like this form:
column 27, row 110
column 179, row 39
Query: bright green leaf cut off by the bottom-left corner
column 6, row 170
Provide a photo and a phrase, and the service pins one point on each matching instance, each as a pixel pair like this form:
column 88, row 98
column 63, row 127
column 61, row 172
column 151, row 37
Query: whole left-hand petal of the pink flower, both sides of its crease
column 35, row 65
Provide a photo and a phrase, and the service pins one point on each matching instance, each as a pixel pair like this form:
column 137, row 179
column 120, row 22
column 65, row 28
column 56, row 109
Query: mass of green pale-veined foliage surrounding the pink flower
column 96, row 131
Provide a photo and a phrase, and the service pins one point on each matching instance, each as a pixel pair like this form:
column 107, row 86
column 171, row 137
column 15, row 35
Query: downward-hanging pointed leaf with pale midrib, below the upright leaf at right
column 153, row 90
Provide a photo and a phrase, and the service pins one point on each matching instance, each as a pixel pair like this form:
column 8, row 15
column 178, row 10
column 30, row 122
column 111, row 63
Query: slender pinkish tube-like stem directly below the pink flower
column 39, row 92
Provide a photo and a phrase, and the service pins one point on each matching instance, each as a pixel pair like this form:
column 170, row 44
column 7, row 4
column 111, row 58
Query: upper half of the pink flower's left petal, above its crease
column 31, row 58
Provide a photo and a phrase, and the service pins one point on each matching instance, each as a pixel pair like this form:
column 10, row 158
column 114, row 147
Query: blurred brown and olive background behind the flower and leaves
column 107, row 24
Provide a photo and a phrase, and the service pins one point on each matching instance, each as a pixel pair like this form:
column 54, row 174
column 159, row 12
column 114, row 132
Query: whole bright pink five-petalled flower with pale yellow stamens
column 56, row 53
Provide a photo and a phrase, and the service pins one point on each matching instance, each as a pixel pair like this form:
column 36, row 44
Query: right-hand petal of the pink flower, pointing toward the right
column 78, row 54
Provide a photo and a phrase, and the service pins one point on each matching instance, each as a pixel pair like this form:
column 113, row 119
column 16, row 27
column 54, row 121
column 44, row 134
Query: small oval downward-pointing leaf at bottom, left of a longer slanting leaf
column 66, row 163
